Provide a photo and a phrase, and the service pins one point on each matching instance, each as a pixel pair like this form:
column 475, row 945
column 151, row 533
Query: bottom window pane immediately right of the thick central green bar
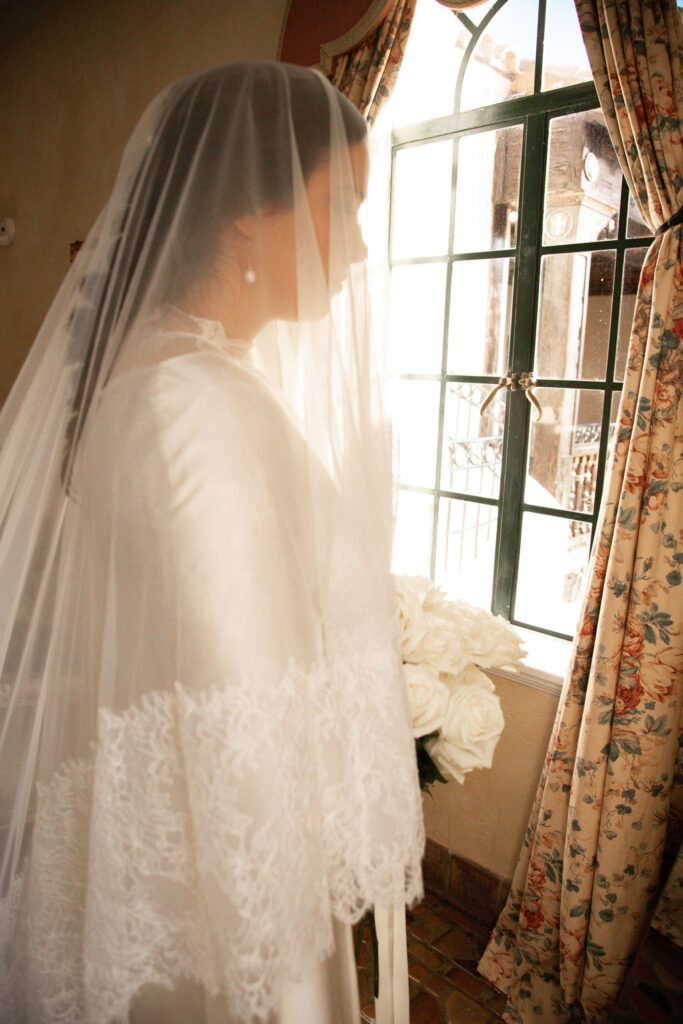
column 552, row 599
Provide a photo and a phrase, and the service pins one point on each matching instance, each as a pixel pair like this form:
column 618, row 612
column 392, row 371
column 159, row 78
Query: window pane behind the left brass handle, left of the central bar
column 473, row 444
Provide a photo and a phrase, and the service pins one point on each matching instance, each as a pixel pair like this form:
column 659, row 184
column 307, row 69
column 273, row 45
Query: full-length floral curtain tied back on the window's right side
column 589, row 873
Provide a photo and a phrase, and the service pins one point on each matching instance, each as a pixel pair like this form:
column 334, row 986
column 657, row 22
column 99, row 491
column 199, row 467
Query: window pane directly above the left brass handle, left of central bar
column 481, row 312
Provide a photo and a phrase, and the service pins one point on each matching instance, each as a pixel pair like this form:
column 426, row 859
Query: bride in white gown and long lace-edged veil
column 207, row 773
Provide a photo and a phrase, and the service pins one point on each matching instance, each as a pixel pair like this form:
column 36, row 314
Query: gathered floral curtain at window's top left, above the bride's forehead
column 368, row 74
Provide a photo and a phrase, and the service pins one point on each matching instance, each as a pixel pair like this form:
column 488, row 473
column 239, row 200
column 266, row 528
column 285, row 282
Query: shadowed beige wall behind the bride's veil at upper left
column 76, row 76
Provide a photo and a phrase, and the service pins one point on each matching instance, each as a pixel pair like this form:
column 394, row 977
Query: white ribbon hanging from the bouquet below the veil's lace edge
column 394, row 1004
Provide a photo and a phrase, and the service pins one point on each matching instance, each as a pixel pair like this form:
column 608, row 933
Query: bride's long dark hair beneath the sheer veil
column 271, row 116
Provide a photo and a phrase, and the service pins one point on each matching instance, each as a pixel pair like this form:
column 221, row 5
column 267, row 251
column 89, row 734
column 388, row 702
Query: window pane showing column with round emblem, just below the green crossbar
column 583, row 181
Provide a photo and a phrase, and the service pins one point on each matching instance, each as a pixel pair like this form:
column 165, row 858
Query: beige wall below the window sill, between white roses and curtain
column 485, row 820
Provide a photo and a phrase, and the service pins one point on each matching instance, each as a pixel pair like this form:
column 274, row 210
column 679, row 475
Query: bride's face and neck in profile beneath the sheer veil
column 290, row 270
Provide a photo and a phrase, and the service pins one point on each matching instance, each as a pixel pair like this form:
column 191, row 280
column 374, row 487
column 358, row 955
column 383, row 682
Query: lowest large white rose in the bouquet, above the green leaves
column 471, row 732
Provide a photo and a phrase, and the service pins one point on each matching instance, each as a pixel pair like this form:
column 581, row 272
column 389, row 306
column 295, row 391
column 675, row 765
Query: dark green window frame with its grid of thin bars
column 535, row 113
